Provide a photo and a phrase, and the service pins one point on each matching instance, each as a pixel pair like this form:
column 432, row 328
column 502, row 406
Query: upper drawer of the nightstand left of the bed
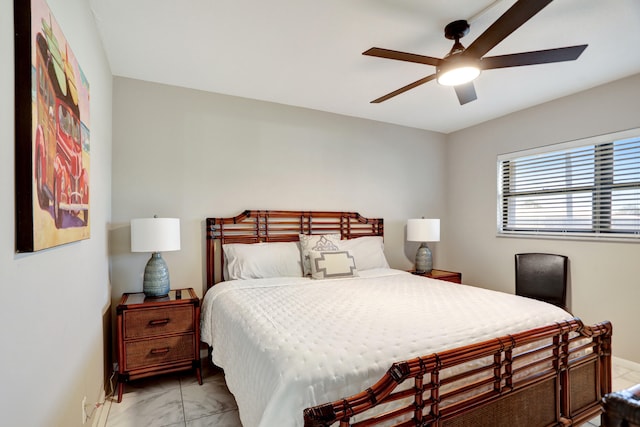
column 158, row 321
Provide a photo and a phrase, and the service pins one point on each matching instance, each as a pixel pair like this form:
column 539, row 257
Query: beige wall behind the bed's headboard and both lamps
column 189, row 154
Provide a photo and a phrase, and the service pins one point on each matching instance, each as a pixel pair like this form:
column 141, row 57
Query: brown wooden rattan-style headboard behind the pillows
column 280, row 226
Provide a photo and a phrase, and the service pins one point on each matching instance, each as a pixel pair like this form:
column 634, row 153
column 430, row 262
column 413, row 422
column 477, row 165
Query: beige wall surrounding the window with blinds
column 604, row 282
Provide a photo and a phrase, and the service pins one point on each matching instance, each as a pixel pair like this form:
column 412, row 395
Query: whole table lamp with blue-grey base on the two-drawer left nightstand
column 155, row 235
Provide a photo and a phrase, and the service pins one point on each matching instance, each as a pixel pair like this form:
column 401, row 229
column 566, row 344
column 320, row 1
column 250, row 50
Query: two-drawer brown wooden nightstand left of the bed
column 157, row 335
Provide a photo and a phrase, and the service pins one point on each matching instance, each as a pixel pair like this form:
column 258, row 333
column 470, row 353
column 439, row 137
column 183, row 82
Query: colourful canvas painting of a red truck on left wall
column 52, row 133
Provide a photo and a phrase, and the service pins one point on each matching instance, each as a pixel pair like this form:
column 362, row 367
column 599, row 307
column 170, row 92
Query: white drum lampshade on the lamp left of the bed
column 155, row 234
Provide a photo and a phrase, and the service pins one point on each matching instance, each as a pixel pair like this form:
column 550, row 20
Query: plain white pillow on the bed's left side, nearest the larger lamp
column 262, row 260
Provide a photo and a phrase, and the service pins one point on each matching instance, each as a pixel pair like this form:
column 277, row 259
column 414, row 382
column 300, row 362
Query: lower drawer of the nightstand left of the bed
column 162, row 350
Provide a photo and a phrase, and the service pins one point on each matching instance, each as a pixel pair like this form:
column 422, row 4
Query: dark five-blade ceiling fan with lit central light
column 462, row 65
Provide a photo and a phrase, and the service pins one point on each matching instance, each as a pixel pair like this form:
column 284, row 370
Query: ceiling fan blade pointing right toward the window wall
column 547, row 56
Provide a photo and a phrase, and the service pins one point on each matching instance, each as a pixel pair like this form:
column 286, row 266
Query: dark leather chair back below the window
column 543, row 277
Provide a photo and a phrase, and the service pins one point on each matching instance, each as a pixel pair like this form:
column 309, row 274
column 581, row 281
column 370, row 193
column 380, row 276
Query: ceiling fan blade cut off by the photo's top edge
column 511, row 20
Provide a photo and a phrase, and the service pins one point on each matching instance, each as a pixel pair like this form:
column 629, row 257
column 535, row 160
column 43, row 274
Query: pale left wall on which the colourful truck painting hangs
column 53, row 301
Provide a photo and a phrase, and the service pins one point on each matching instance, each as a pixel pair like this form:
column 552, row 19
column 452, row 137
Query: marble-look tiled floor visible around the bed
column 178, row 400
